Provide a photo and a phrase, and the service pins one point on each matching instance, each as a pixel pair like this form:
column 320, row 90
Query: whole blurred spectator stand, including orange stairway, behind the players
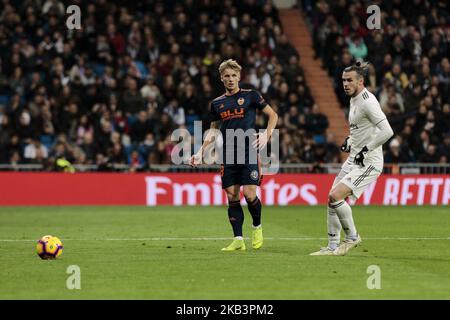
column 108, row 96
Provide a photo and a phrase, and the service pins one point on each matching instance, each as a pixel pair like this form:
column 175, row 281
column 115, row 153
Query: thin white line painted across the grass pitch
column 222, row 238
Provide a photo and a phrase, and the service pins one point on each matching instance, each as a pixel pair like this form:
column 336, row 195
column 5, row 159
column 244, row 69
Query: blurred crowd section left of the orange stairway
column 112, row 92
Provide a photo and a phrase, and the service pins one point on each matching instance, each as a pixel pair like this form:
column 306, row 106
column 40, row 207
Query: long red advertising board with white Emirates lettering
column 205, row 189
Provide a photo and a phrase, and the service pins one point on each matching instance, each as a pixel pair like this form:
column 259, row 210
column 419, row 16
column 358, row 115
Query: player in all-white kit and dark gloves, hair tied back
column 369, row 129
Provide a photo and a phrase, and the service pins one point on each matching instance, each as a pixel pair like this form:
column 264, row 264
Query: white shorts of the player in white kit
column 357, row 178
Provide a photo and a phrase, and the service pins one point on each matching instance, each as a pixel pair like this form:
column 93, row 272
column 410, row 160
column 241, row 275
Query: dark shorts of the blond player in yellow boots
column 240, row 174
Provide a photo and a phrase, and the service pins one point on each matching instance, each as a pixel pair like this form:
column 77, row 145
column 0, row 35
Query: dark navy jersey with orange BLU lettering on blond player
column 237, row 112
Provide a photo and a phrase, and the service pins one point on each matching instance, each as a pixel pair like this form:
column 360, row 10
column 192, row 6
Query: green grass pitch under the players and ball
column 174, row 253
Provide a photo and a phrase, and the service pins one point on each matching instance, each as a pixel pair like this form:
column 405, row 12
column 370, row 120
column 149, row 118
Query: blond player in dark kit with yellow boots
column 236, row 110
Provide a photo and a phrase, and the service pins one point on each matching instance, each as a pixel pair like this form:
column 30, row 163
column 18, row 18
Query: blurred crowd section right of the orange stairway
column 409, row 72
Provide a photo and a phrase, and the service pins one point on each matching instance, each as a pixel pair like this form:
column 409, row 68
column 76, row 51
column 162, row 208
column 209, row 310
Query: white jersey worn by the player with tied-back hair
column 364, row 115
